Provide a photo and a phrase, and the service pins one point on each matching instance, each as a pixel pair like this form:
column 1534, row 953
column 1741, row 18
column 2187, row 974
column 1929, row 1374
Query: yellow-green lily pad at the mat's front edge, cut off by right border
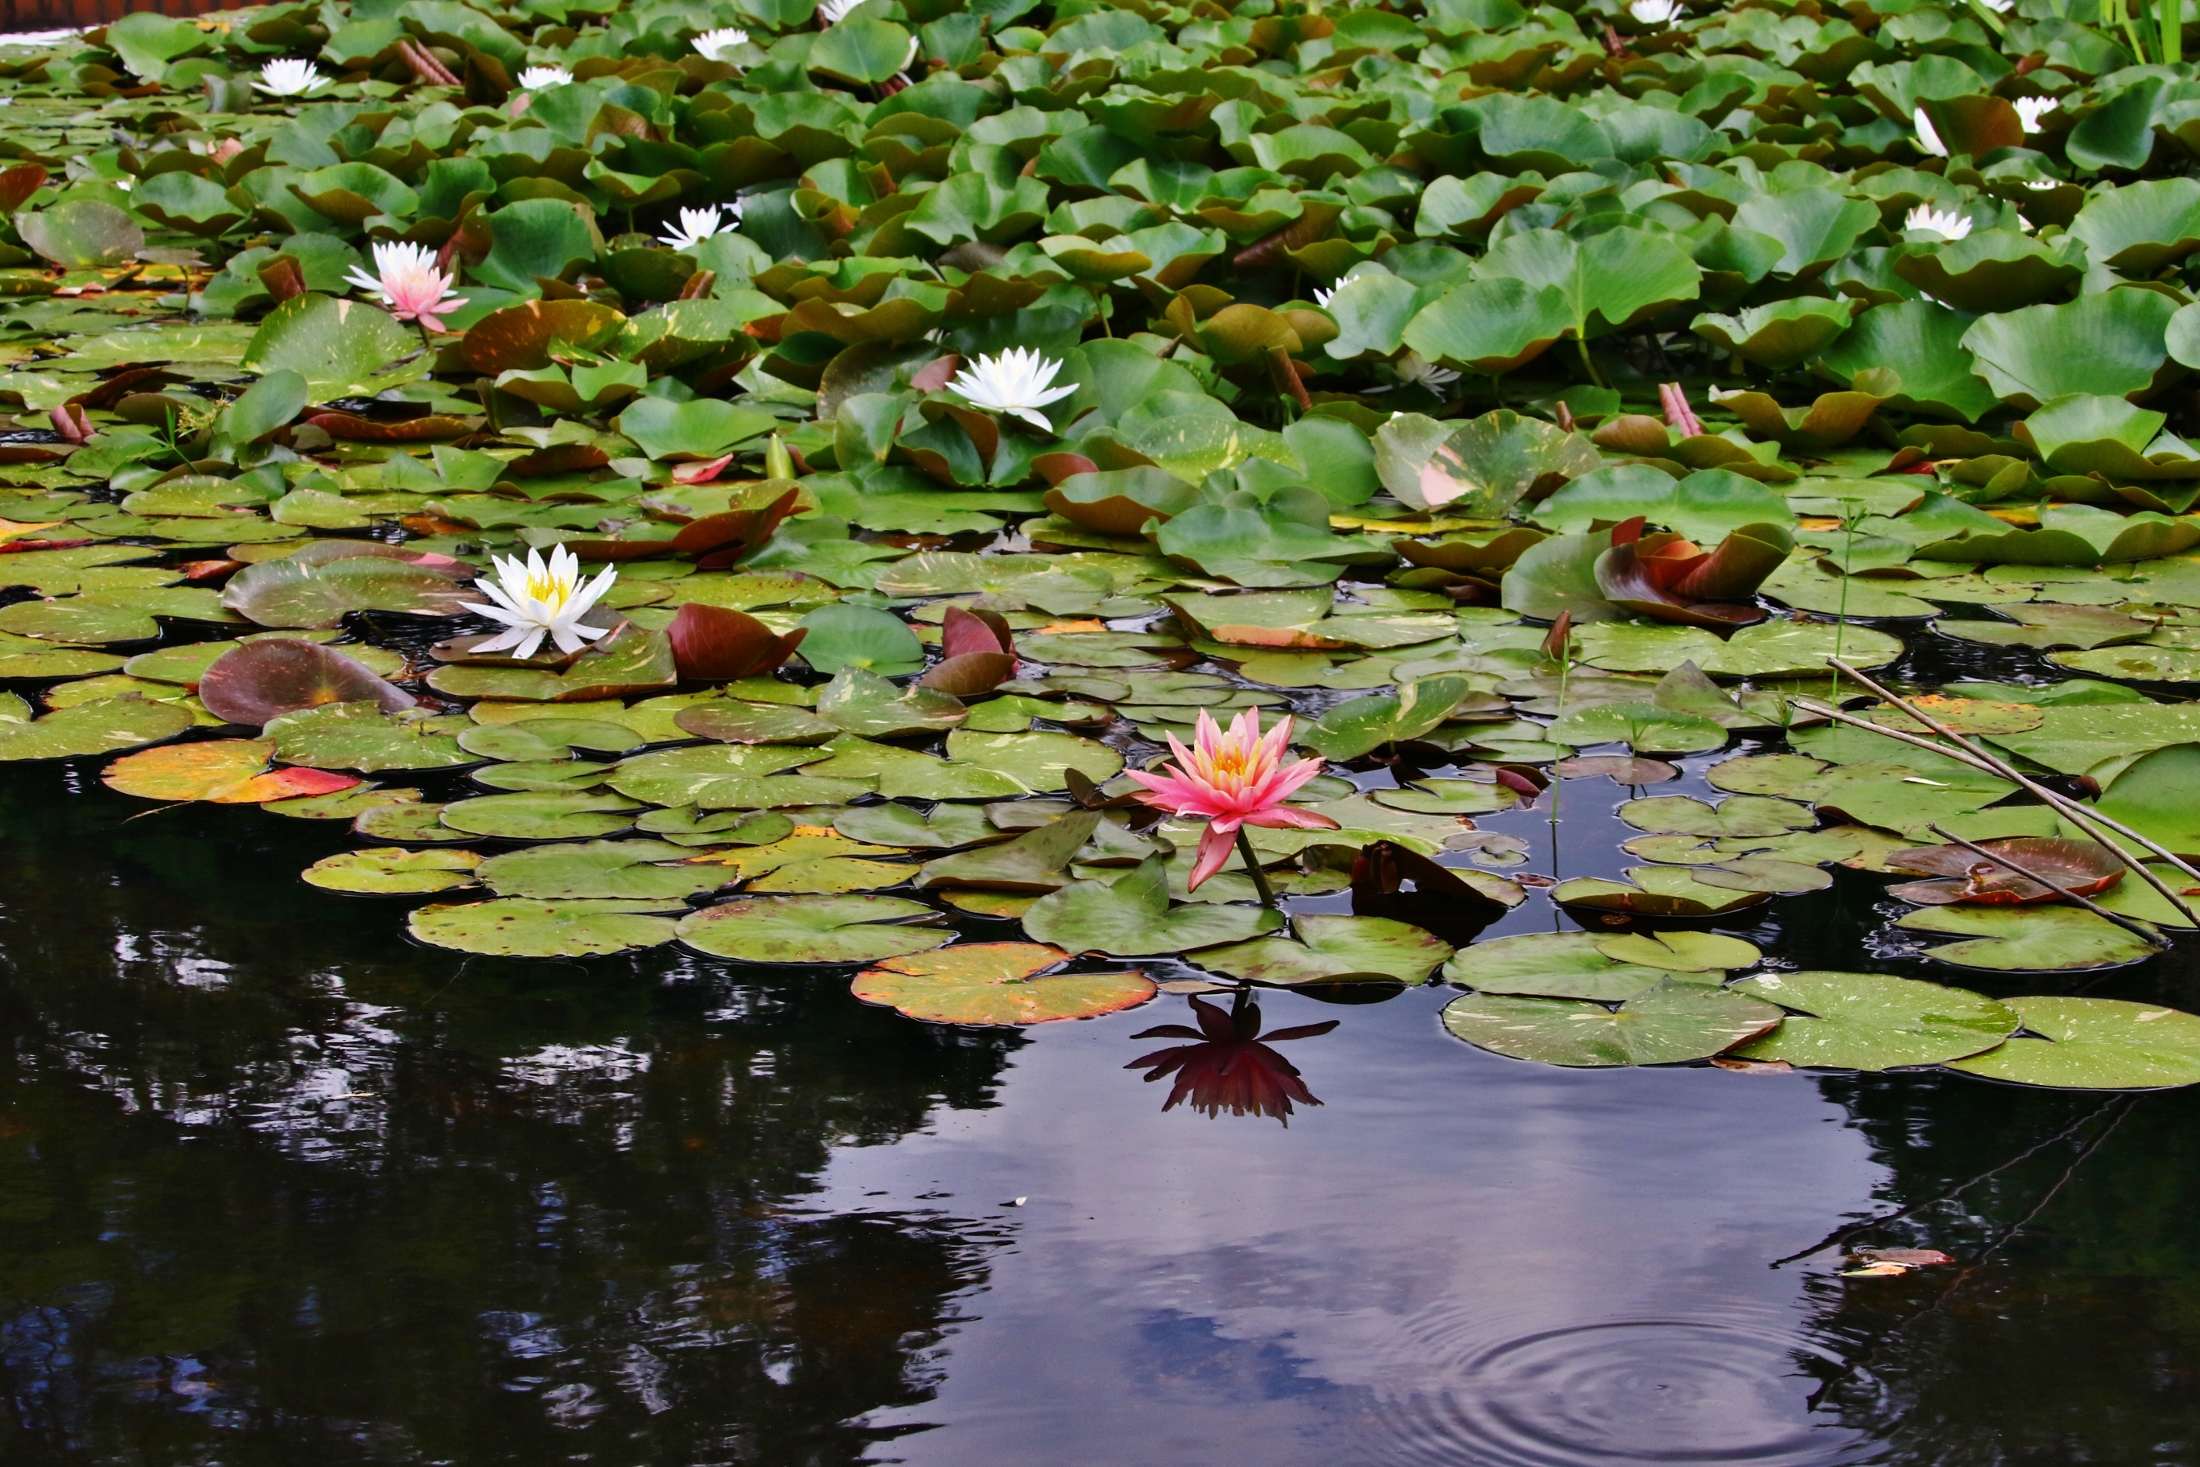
column 2095, row 1046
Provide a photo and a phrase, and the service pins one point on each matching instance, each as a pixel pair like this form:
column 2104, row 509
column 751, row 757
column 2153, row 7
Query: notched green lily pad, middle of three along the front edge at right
column 1873, row 1022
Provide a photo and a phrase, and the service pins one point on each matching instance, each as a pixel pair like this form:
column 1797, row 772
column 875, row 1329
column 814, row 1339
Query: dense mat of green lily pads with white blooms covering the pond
column 764, row 476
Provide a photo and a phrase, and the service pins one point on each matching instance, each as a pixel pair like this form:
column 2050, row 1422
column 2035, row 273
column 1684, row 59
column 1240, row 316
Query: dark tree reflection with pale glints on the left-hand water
column 278, row 1187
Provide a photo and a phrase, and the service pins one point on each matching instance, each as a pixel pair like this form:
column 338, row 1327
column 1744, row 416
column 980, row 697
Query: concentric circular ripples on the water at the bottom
column 1633, row 1391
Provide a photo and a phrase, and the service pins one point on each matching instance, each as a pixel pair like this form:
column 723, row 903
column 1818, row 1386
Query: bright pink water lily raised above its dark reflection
column 1233, row 780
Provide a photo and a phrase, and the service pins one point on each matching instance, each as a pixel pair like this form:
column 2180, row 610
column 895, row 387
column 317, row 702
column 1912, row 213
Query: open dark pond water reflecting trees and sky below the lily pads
column 278, row 1187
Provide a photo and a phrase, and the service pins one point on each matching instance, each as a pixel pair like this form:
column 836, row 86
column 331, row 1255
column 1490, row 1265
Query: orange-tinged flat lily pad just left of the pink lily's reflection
column 998, row 984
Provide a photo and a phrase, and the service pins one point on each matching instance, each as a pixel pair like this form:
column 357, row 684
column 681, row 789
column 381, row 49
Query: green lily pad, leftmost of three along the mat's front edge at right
column 1662, row 1026
